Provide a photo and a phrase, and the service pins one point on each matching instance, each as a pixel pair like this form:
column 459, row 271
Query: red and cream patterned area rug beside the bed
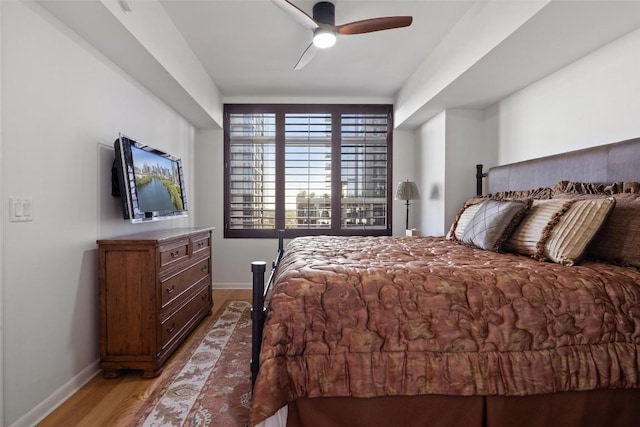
column 212, row 385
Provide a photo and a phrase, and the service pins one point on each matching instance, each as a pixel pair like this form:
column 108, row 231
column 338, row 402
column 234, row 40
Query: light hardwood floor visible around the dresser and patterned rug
column 112, row 402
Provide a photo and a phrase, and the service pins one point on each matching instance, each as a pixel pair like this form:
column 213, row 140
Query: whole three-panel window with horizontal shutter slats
column 307, row 169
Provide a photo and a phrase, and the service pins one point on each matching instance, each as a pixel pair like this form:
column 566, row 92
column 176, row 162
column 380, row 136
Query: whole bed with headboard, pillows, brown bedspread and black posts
column 530, row 317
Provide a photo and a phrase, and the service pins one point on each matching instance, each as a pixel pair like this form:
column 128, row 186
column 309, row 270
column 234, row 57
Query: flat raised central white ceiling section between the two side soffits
column 250, row 47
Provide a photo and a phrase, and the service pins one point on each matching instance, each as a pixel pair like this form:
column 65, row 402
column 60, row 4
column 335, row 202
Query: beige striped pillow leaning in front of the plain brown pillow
column 568, row 240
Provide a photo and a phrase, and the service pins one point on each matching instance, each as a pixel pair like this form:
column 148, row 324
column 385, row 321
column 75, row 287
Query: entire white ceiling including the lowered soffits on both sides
column 456, row 54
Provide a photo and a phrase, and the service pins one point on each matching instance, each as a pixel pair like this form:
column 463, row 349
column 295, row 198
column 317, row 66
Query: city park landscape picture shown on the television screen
column 157, row 182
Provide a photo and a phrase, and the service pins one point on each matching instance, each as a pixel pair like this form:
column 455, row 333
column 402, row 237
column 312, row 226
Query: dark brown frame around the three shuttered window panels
column 336, row 111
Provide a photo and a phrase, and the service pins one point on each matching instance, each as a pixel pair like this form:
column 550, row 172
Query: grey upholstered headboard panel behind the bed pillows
column 603, row 164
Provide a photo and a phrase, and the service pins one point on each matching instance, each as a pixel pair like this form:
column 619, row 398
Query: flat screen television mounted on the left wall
column 150, row 182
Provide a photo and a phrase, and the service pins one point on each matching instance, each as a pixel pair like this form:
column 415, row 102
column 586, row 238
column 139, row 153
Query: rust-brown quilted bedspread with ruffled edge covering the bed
column 376, row 316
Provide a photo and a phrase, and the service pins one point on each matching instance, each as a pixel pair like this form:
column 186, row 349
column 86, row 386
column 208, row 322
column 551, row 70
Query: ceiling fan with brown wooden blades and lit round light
column 325, row 31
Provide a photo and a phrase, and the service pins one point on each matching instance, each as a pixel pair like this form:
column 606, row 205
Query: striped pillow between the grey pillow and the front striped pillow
column 530, row 235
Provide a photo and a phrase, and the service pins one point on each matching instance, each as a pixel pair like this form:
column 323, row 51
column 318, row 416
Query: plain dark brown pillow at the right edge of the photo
column 618, row 240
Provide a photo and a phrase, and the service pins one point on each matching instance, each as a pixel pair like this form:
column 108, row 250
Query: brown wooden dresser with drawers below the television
column 154, row 289
